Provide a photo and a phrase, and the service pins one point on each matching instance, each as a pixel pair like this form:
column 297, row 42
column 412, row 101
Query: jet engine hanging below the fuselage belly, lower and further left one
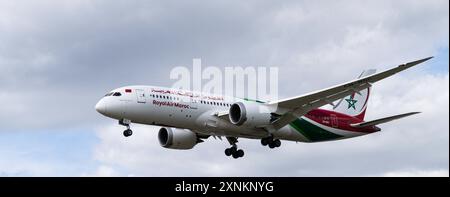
column 177, row 138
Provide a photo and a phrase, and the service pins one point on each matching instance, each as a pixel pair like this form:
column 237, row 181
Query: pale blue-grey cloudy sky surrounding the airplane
column 58, row 58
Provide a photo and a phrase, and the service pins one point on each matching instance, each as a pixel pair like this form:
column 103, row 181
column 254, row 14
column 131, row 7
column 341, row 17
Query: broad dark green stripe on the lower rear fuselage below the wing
column 312, row 132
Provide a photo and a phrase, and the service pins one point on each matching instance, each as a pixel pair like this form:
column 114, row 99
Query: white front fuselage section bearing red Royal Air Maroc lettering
column 182, row 109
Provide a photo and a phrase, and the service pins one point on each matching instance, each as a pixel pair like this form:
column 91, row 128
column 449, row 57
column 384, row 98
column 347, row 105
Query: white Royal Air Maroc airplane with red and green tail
column 188, row 118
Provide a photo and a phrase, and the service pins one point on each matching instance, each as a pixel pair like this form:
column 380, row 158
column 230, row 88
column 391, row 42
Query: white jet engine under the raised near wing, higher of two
column 249, row 114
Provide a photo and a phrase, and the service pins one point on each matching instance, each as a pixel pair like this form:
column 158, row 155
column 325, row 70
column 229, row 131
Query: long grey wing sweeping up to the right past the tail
column 292, row 108
